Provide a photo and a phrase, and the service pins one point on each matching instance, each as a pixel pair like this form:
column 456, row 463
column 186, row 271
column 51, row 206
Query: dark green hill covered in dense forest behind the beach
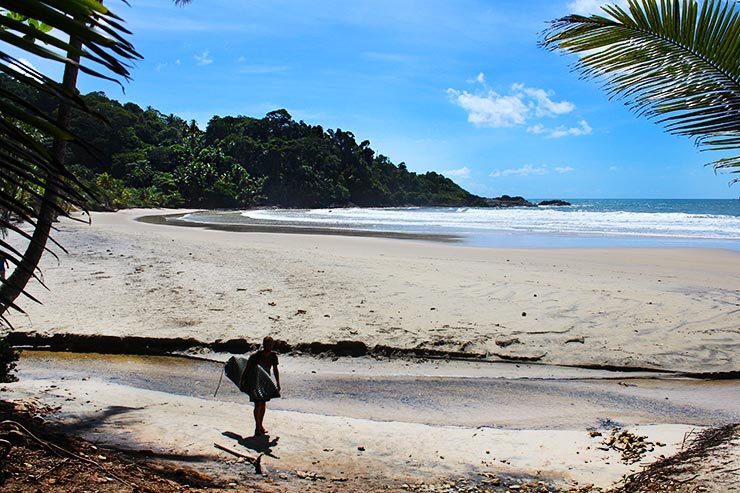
column 146, row 158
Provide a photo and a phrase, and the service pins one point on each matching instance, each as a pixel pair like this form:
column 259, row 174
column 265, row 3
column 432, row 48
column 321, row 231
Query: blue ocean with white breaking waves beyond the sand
column 585, row 223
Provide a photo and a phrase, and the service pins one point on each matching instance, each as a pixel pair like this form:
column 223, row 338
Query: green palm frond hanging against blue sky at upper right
column 674, row 61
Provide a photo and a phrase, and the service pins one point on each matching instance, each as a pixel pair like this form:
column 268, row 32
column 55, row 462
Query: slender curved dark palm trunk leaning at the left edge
column 24, row 270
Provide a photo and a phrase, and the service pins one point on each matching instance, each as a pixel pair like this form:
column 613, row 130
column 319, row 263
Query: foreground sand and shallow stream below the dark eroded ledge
column 415, row 422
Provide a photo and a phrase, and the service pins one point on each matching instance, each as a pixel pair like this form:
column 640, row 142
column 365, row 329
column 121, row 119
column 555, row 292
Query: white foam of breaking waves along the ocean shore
column 529, row 220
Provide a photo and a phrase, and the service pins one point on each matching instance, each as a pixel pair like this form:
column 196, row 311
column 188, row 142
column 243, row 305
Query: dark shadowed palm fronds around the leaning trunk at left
column 87, row 37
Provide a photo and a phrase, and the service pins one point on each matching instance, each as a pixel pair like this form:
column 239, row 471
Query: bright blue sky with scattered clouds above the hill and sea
column 459, row 87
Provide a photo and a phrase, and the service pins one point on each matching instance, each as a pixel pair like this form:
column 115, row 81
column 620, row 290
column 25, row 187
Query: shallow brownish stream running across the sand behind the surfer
column 440, row 393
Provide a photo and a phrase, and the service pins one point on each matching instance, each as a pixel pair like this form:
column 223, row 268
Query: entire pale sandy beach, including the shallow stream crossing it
column 550, row 347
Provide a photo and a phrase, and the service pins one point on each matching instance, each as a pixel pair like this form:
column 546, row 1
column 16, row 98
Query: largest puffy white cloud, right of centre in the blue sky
column 487, row 108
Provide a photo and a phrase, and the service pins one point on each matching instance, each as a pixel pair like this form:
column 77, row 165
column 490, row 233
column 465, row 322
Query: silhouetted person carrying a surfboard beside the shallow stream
column 259, row 367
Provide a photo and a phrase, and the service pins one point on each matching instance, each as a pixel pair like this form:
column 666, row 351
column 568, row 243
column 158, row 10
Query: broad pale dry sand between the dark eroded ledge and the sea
column 673, row 309
